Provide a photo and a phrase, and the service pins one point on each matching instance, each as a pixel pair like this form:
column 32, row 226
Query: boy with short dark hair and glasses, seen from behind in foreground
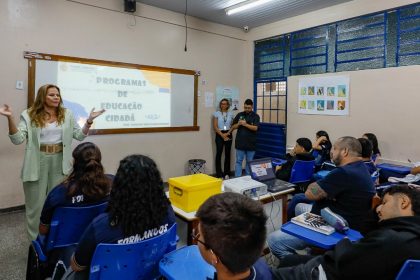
column 231, row 236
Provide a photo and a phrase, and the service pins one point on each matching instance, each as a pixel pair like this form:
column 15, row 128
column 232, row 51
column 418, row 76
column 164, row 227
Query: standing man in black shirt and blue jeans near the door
column 246, row 123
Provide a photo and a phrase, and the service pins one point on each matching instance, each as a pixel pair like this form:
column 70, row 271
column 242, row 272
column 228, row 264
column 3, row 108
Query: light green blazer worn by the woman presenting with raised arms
column 31, row 133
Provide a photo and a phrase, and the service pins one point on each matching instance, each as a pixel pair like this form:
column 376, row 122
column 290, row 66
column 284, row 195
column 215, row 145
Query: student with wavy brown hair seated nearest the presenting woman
column 87, row 184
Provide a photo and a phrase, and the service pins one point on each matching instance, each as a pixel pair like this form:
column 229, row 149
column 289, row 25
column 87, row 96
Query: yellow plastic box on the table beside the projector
column 189, row 192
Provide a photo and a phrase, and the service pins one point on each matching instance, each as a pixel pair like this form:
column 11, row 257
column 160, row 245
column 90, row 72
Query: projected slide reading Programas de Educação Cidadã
column 132, row 98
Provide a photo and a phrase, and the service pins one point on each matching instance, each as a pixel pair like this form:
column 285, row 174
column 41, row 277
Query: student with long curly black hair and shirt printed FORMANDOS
column 138, row 210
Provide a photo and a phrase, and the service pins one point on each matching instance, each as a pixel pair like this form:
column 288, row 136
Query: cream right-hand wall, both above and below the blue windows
column 382, row 101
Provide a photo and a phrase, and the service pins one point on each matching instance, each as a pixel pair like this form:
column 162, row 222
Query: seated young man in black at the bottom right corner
column 381, row 253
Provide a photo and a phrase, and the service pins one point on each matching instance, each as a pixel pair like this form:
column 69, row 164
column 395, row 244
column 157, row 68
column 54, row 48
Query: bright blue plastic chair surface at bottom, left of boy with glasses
column 185, row 263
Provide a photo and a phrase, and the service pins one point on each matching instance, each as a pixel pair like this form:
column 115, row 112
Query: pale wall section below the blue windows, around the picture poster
column 382, row 101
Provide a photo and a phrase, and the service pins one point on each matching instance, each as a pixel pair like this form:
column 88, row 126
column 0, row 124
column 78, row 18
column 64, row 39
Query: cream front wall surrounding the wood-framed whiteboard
column 100, row 30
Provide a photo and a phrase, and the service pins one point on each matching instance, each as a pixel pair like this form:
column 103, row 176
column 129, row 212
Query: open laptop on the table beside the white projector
column 262, row 171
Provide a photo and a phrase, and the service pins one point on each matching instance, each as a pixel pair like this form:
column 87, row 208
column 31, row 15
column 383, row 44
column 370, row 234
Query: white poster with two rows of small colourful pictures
column 324, row 95
